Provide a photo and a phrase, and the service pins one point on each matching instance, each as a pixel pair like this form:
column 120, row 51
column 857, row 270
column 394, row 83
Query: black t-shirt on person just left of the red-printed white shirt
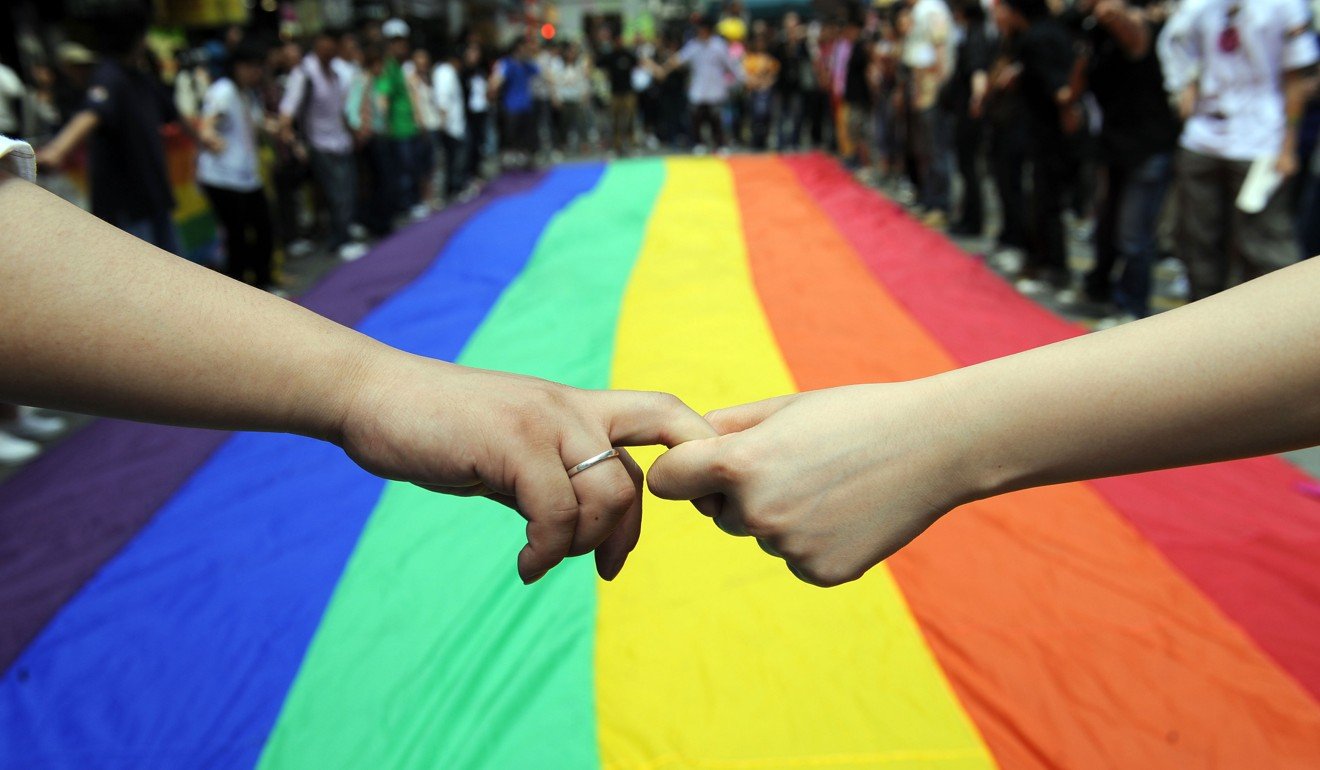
column 1138, row 121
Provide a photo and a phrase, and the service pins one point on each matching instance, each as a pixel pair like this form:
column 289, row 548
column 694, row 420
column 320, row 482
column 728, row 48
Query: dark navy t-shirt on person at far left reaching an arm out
column 129, row 174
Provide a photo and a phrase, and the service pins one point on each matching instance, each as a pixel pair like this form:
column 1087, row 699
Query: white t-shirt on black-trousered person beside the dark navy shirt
column 237, row 117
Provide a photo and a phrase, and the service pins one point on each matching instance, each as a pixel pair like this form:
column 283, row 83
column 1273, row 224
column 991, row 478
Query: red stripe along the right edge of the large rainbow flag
column 1240, row 532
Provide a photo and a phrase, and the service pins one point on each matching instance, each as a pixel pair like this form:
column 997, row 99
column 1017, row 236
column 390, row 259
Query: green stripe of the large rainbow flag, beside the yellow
column 432, row 654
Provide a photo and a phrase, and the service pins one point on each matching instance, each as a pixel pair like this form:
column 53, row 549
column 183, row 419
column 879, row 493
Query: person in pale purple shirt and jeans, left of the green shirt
column 313, row 105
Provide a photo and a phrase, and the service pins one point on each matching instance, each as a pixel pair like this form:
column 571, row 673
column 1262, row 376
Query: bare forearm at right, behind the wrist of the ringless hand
column 1235, row 376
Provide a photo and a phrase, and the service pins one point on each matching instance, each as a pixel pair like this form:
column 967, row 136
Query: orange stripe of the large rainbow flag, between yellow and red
column 1069, row 637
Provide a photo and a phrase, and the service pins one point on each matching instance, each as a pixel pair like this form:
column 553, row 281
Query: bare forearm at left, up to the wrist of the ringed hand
column 97, row 322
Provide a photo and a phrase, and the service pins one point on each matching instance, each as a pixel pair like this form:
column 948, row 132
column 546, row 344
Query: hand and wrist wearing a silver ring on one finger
column 510, row 438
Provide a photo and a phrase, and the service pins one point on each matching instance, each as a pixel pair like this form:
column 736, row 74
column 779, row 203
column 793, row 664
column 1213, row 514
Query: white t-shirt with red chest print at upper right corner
column 1241, row 110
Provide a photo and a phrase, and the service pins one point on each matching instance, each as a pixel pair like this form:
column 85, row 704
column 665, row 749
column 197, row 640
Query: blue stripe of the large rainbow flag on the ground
column 181, row 650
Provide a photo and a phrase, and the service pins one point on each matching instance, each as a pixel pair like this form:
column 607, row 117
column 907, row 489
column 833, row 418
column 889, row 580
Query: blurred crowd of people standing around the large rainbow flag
column 1125, row 114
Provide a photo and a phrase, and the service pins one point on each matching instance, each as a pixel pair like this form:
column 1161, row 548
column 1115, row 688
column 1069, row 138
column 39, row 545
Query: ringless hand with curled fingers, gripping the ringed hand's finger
column 831, row 481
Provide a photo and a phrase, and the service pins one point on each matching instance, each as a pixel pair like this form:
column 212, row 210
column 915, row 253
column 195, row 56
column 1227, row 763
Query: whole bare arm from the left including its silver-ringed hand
column 105, row 324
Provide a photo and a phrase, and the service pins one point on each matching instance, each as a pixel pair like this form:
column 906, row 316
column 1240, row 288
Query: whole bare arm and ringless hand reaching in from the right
column 836, row 481
